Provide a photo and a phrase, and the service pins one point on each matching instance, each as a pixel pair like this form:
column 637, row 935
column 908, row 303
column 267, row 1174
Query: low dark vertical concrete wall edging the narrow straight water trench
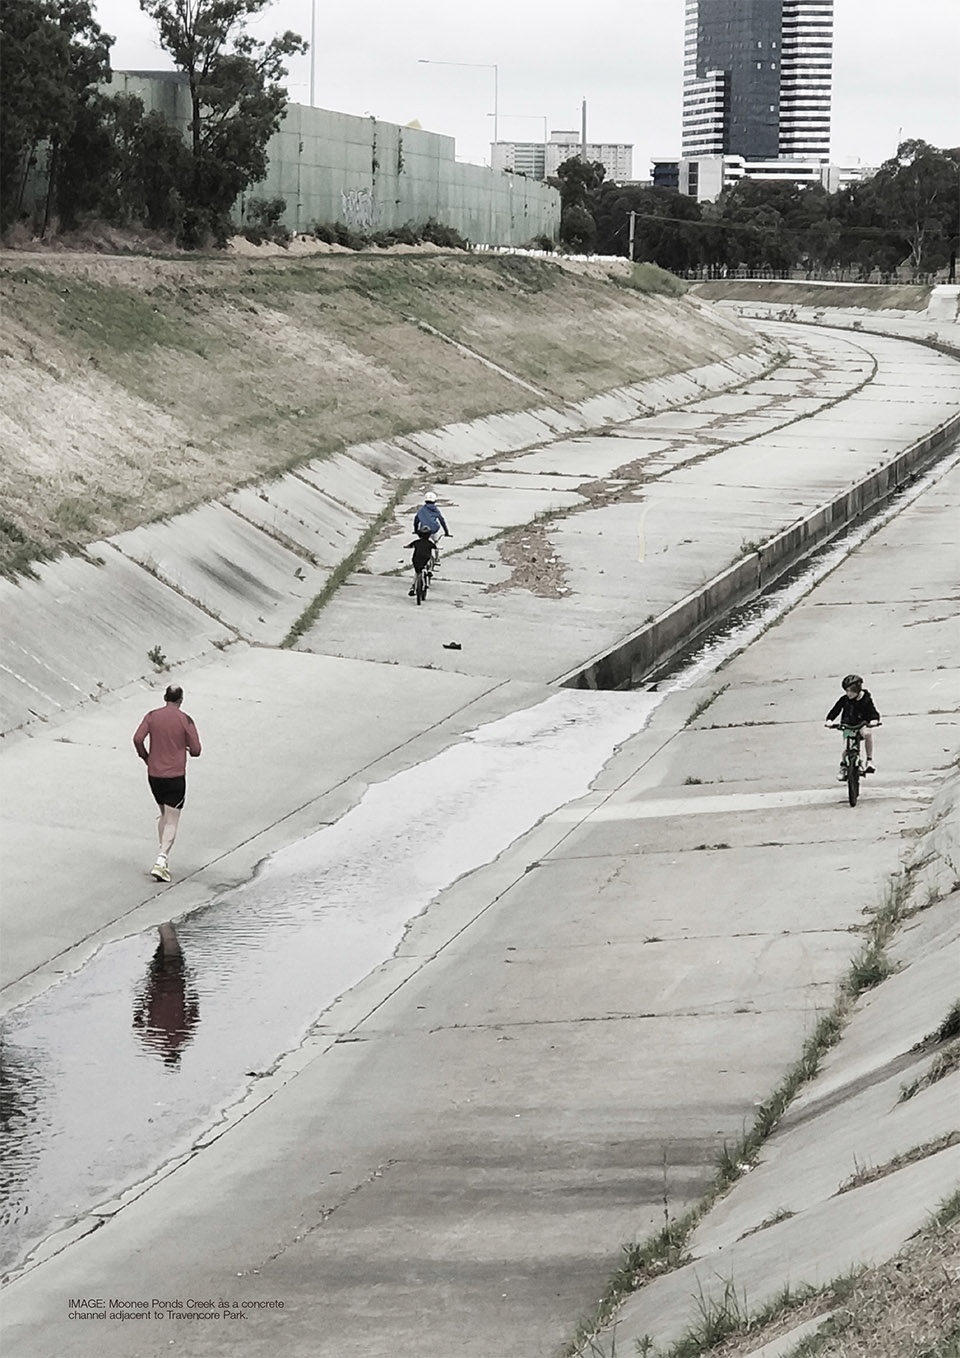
column 659, row 644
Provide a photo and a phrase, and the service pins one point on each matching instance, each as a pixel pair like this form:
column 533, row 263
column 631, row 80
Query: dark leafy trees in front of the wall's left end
column 105, row 155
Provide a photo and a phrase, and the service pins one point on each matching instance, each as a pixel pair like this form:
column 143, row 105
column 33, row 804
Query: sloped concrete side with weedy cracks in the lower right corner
column 867, row 1151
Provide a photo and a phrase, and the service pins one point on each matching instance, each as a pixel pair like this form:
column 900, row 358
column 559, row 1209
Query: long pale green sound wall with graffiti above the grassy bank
column 374, row 176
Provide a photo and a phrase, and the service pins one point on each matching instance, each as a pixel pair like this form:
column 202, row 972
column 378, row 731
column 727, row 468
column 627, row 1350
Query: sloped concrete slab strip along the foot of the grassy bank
column 246, row 567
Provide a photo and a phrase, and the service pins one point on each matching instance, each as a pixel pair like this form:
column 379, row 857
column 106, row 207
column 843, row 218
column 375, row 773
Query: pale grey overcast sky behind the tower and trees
column 896, row 69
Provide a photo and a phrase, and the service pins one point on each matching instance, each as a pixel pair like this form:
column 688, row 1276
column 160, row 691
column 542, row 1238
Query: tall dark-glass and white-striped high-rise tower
column 757, row 79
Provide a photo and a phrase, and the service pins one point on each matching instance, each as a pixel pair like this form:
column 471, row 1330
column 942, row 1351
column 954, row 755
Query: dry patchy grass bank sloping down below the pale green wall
column 135, row 386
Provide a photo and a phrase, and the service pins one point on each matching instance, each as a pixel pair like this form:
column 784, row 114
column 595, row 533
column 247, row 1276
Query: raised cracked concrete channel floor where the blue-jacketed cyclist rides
column 692, row 517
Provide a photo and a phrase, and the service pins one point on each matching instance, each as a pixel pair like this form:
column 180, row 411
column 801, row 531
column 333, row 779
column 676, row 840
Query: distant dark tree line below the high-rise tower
column 908, row 215
